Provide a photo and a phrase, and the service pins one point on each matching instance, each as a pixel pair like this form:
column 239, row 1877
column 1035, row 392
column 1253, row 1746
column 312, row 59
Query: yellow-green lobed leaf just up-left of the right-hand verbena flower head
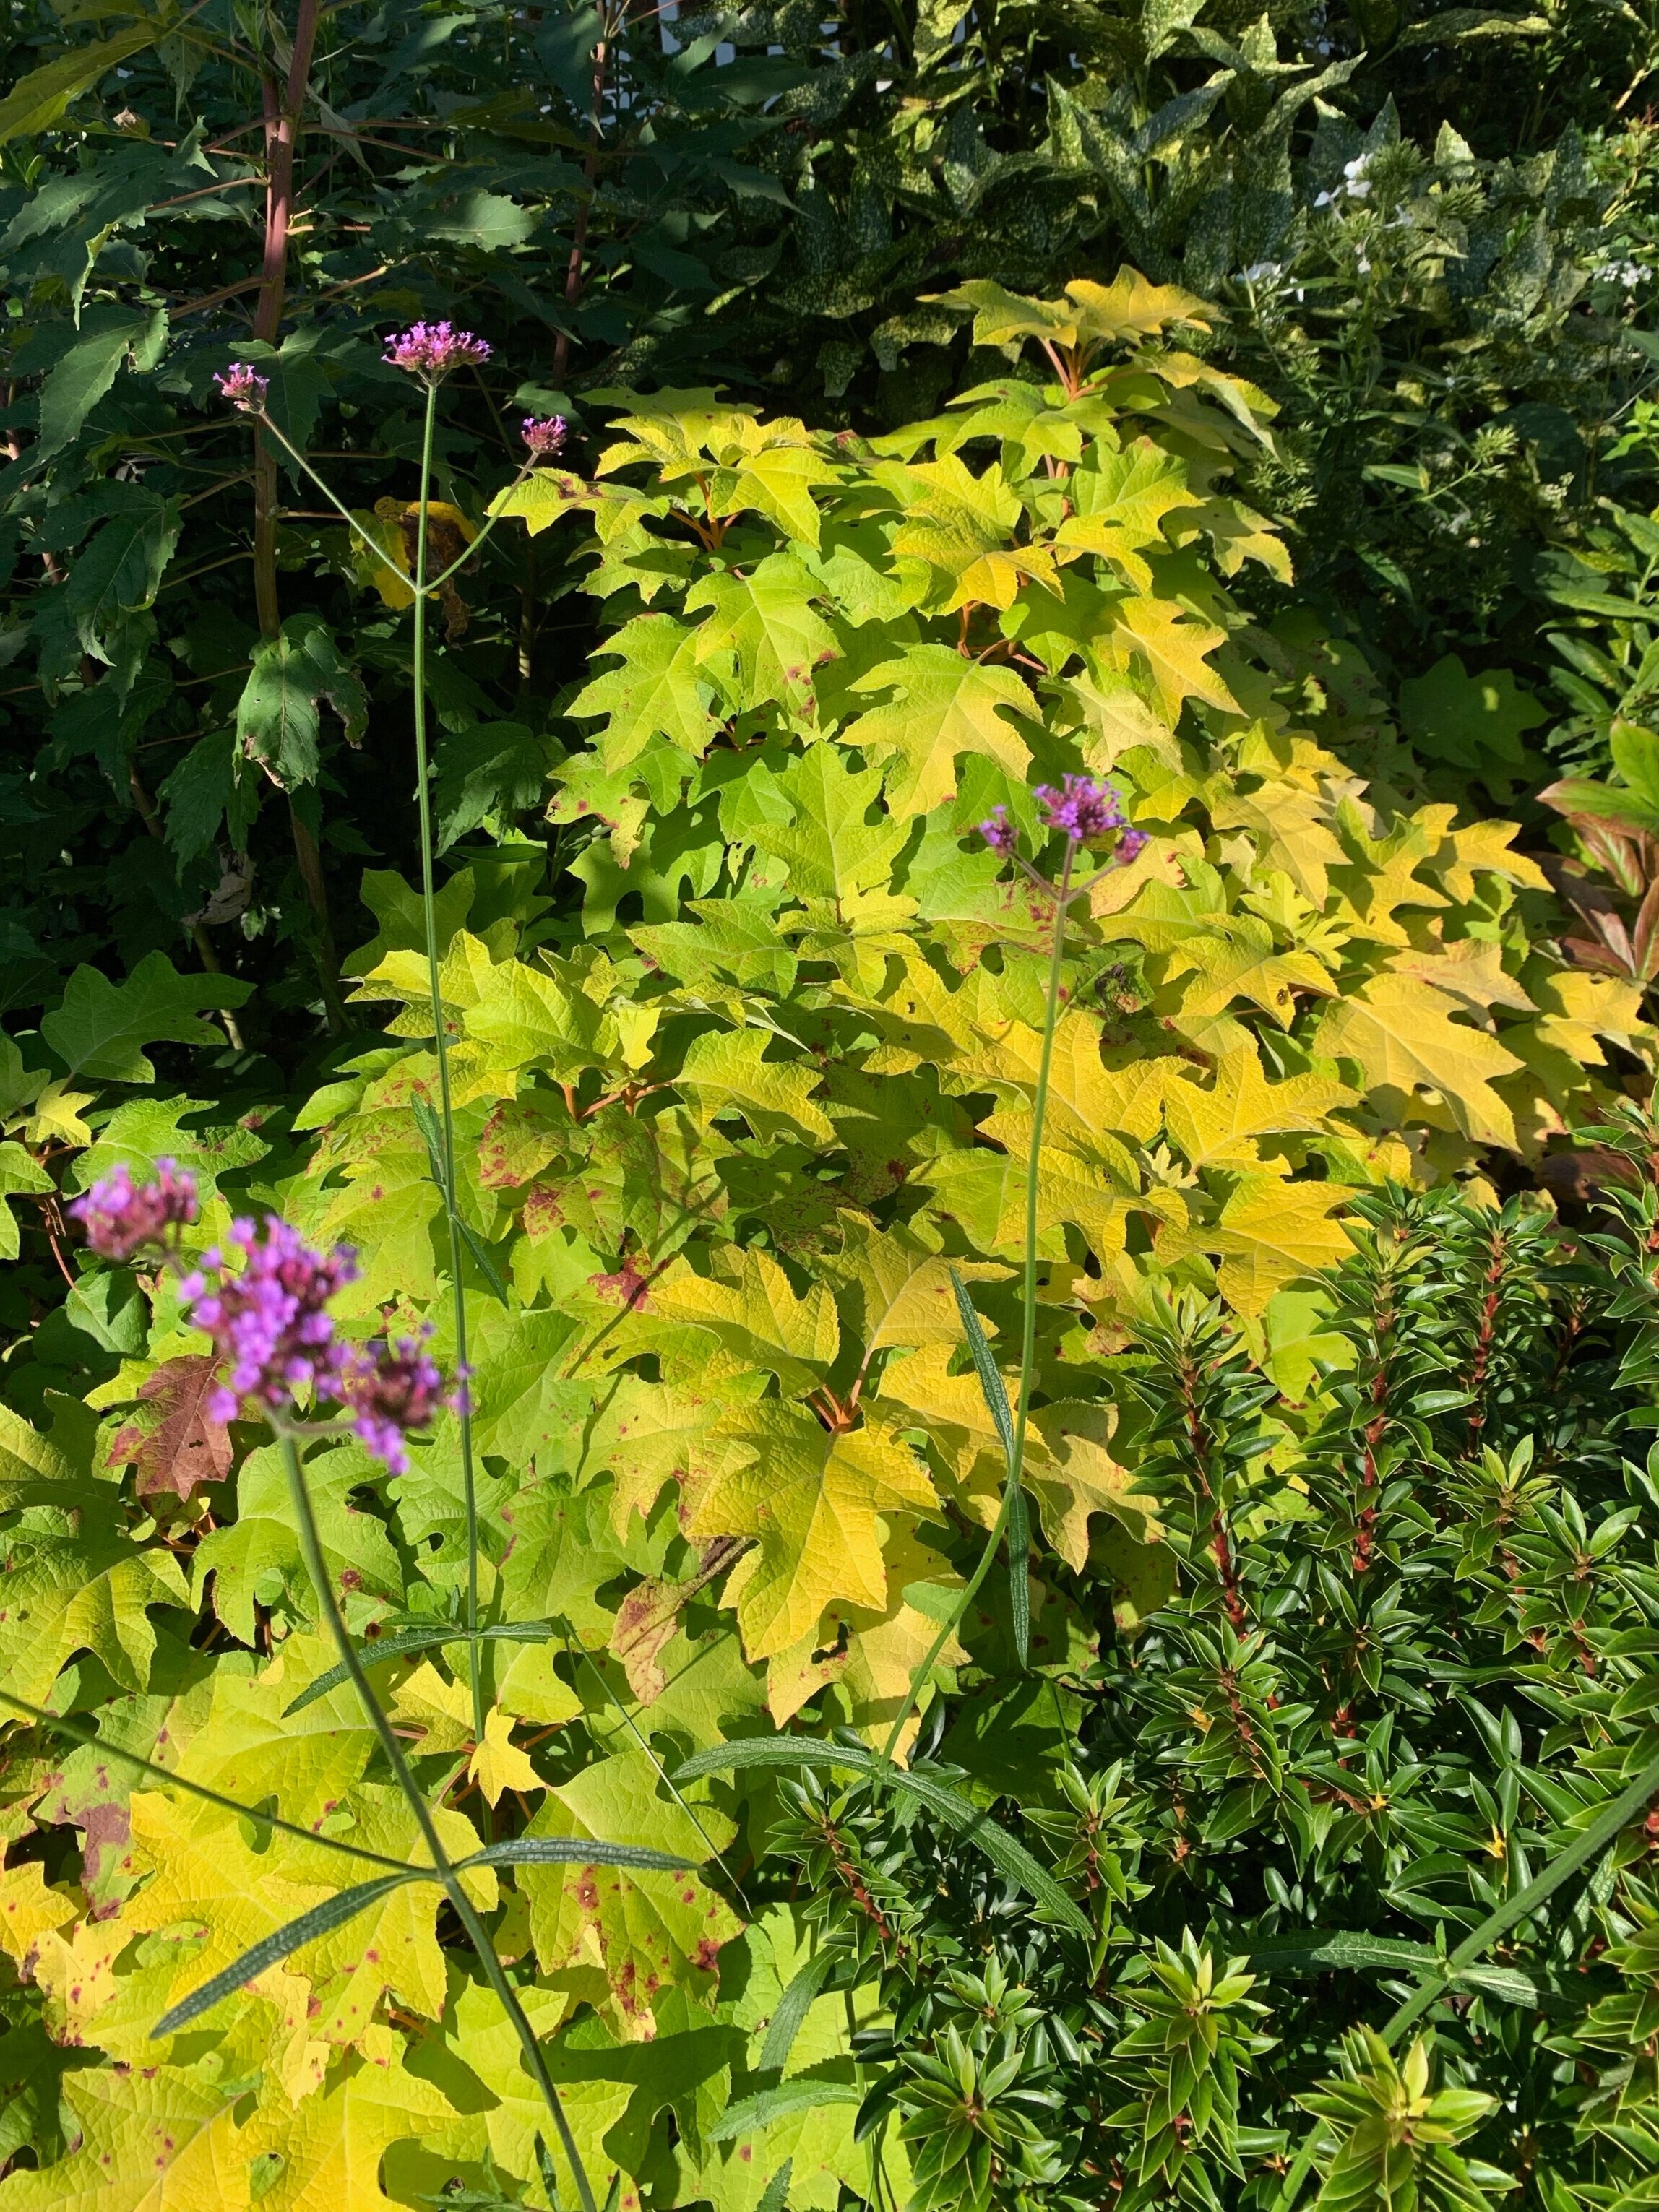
column 943, row 707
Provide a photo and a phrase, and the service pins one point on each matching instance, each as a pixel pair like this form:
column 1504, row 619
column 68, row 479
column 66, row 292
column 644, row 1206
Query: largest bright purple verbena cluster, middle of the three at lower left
column 271, row 1319
